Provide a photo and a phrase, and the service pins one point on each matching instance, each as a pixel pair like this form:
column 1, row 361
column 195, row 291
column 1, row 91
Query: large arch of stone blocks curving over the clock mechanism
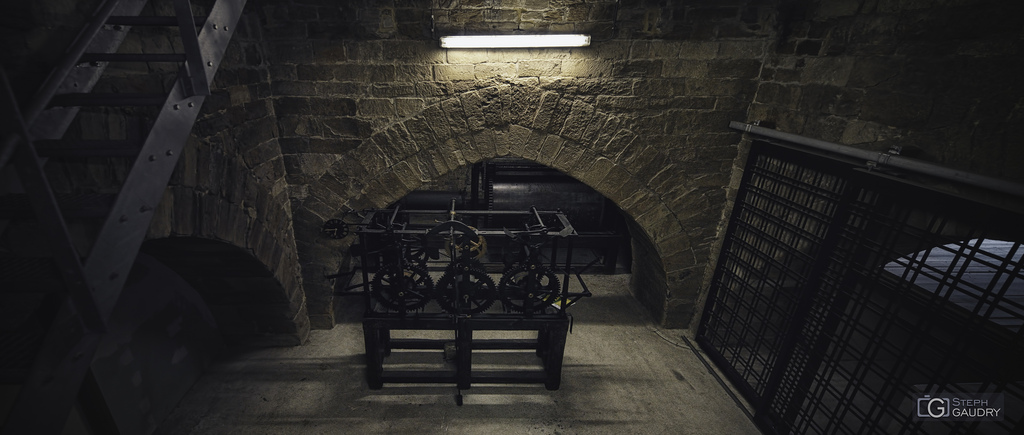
column 552, row 128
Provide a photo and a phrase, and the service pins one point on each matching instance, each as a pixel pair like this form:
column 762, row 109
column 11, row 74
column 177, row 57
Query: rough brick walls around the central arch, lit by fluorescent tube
column 325, row 107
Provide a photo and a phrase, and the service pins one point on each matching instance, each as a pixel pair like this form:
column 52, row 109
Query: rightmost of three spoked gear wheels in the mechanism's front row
column 521, row 296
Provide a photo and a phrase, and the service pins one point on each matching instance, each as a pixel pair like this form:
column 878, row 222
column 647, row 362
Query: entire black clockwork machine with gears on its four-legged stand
column 437, row 270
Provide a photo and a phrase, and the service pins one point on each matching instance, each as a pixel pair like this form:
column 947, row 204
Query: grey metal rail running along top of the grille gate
column 885, row 159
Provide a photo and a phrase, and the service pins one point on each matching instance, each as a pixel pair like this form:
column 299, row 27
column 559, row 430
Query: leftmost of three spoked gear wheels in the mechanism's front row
column 405, row 291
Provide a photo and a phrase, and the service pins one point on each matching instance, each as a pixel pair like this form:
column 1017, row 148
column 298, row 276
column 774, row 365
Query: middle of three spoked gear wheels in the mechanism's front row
column 477, row 292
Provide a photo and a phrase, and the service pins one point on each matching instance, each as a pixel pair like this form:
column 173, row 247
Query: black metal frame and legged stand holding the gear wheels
column 546, row 314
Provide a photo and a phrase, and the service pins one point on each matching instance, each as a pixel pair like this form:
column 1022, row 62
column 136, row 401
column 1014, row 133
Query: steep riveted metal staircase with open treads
column 69, row 296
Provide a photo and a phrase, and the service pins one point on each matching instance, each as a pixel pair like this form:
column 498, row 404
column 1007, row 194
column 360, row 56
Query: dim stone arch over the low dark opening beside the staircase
column 239, row 262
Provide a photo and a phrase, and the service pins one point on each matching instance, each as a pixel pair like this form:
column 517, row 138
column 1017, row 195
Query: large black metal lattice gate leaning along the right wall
column 842, row 296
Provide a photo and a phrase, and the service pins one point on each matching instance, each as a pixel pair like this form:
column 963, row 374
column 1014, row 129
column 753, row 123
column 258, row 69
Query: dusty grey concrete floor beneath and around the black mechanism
column 621, row 375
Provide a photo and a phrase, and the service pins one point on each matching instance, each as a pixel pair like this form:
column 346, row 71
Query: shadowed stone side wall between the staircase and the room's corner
column 230, row 187
